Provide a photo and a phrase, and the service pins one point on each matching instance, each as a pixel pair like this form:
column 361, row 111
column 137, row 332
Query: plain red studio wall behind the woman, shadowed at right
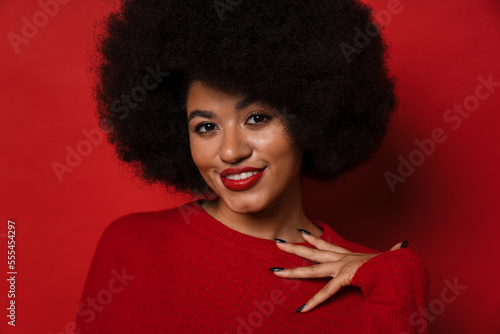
column 434, row 181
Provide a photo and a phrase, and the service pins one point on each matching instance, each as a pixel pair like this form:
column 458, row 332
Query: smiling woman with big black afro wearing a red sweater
column 236, row 102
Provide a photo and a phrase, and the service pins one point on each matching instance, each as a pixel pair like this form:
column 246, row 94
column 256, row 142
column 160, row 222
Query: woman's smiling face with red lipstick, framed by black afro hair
column 232, row 134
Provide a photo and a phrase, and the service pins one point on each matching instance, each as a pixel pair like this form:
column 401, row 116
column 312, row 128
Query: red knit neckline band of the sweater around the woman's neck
column 205, row 224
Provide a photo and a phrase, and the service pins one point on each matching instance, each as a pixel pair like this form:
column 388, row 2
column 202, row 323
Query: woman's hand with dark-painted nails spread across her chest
column 333, row 261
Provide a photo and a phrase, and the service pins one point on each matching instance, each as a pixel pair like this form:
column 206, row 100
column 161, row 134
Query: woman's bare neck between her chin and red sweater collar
column 281, row 220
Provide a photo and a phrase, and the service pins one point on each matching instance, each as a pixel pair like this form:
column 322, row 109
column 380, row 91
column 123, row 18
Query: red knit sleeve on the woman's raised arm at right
column 394, row 285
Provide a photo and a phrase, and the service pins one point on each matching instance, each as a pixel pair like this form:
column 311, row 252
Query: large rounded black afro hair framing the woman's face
column 321, row 63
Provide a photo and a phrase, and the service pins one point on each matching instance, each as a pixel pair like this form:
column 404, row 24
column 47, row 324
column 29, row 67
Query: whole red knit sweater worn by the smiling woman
column 182, row 271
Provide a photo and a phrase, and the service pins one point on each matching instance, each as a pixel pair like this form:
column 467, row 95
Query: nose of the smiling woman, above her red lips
column 235, row 145
